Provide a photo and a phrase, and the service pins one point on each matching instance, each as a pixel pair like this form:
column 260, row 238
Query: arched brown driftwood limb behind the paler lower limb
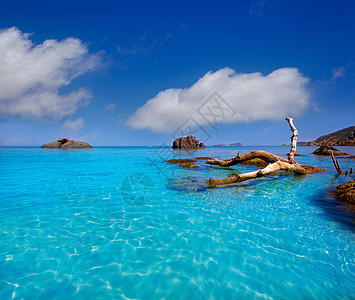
column 264, row 155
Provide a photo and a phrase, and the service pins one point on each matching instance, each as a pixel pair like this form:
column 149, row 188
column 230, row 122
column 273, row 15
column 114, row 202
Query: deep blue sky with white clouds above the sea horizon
column 135, row 73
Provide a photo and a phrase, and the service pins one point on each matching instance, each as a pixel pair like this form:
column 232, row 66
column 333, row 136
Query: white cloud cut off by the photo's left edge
column 31, row 75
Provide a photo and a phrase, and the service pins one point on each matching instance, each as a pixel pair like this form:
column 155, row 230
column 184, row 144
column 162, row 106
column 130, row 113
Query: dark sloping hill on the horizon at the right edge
column 344, row 137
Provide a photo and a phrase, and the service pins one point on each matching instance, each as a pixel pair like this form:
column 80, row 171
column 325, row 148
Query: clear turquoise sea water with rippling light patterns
column 121, row 223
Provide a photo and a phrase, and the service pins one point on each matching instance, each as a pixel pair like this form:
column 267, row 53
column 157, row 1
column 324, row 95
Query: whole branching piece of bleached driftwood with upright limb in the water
column 275, row 163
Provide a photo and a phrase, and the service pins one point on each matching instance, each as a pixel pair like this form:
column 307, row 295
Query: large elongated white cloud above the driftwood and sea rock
column 239, row 98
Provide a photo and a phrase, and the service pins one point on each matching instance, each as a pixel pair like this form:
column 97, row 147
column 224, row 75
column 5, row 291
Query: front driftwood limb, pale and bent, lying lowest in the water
column 271, row 168
